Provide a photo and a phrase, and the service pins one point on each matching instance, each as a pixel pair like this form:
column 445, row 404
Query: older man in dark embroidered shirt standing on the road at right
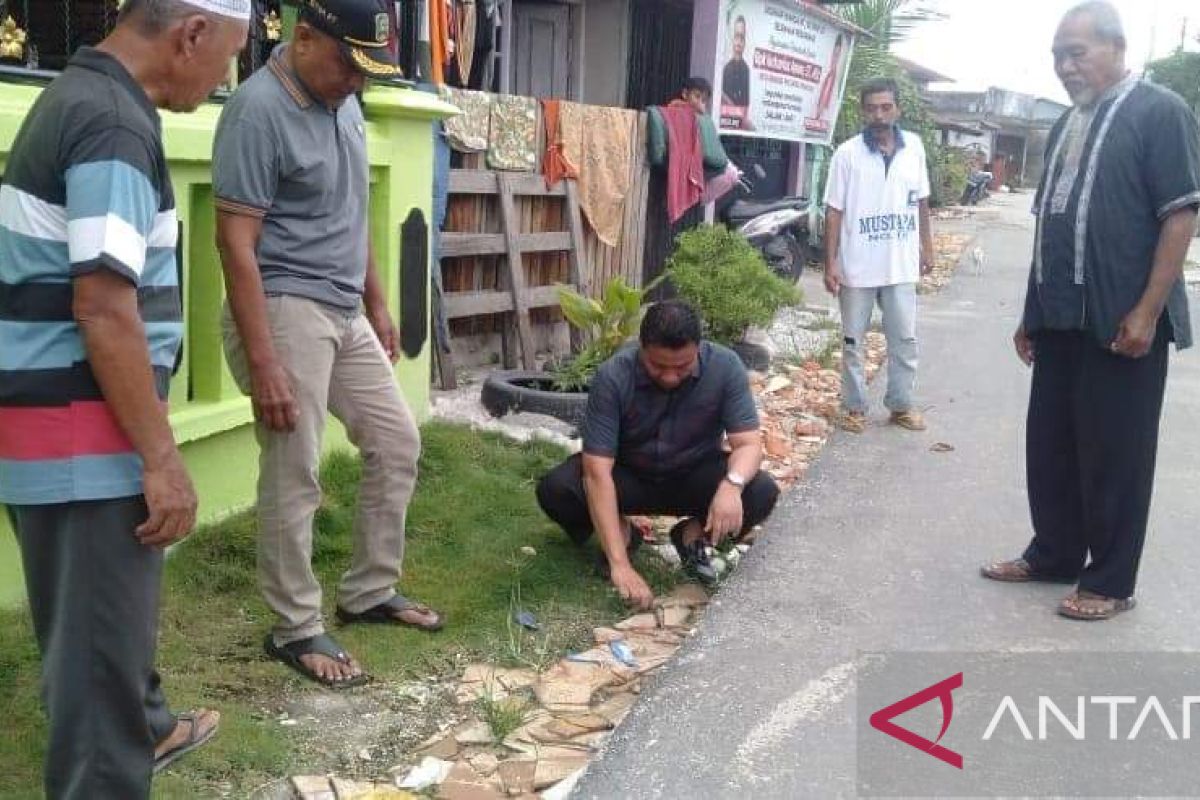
column 1117, row 210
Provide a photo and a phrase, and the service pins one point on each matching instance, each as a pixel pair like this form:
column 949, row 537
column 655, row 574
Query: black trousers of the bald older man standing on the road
column 1093, row 440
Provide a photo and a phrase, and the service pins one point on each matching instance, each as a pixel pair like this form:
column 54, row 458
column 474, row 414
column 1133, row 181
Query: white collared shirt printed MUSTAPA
column 880, row 227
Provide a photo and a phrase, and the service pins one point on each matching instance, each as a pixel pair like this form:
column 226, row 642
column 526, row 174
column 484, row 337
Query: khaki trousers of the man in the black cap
column 337, row 365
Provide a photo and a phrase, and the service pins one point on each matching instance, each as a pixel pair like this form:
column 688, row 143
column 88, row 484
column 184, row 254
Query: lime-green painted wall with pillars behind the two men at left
column 211, row 418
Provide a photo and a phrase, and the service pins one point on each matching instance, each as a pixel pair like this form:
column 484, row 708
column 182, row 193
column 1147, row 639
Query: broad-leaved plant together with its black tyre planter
column 604, row 326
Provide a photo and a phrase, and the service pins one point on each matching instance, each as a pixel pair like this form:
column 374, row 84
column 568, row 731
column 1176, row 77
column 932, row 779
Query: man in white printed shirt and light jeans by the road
column 878, row 246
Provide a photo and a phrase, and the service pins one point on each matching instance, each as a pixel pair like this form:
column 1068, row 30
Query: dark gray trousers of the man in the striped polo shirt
column 94, row 598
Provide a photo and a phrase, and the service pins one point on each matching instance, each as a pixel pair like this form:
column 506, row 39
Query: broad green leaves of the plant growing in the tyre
column 607, row 324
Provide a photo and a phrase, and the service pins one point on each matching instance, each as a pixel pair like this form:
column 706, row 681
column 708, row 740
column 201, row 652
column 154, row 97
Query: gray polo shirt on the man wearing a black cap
column 302, row 167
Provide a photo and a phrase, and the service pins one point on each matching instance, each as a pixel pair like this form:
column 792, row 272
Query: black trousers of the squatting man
column 683, row 495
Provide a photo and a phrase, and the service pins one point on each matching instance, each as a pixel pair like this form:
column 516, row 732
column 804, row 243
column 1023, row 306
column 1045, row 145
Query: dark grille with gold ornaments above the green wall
column 46, row 33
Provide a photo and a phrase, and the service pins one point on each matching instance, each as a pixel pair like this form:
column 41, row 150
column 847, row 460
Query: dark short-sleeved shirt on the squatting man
column 659, row 432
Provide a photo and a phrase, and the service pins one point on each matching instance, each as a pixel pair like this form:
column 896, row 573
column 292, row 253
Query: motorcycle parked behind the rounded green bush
column 778, row 228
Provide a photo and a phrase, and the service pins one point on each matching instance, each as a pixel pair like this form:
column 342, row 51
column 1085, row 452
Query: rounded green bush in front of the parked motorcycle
column 728, row 281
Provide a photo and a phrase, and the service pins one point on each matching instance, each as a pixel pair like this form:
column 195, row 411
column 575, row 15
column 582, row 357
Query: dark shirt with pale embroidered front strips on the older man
column 1113, row 175
